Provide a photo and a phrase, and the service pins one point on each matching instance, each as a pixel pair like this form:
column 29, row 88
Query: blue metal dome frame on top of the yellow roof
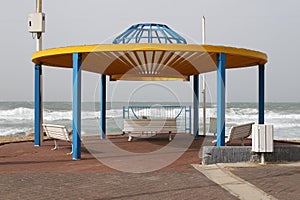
column 149, row 33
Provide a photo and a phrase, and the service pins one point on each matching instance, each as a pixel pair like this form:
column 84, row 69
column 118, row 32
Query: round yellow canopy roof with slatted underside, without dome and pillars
column 149, row 61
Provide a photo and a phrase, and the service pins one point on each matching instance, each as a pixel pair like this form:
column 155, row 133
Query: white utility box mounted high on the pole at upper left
column 36, row 22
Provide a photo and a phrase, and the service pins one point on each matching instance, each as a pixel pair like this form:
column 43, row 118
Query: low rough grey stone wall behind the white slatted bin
column 232, row 154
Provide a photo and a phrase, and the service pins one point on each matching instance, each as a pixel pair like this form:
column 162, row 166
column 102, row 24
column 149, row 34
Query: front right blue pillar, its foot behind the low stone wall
column 221, row 74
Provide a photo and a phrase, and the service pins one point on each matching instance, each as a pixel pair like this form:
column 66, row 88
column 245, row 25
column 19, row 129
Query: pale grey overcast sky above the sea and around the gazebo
column 269, row 26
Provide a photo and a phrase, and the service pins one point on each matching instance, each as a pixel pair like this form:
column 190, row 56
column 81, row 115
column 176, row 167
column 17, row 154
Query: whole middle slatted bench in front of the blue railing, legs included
column 146, row 128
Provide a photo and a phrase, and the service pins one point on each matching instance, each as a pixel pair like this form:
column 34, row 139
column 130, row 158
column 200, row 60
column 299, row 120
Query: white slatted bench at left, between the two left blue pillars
column 57, row 132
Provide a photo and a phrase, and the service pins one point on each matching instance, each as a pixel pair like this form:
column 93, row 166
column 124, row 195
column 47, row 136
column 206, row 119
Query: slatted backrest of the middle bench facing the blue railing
column 150, row 125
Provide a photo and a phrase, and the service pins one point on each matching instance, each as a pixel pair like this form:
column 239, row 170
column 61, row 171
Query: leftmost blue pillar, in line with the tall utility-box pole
column 37, row 105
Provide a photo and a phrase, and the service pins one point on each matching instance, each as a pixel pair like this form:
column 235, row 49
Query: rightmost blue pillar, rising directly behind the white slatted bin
column 261, row 94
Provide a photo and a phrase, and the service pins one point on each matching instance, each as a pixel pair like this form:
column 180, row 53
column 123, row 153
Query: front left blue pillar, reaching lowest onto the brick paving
column 76, row 107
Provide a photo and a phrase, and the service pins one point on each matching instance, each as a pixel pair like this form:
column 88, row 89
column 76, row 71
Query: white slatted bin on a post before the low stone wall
column 262, row 138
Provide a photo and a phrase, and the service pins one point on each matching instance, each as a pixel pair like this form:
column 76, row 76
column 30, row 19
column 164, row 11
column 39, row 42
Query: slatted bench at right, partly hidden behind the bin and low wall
column 239, row 132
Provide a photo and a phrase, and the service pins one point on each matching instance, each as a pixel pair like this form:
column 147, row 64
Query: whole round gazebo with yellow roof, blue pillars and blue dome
column 146, row 52
